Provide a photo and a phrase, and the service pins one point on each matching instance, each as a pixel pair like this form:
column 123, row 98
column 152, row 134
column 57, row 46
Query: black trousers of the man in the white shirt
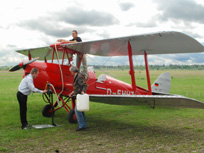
column 22, row 99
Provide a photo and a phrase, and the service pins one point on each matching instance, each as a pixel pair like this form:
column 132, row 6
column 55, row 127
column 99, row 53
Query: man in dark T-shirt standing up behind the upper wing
column 75, row 40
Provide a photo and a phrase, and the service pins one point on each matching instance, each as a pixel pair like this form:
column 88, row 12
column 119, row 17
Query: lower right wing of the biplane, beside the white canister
column 152, row 100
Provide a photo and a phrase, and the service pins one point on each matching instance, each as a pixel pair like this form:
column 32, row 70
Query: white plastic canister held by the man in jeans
column 82, row 102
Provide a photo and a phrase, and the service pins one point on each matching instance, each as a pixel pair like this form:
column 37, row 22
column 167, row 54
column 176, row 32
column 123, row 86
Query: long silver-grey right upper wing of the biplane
column 155, row 43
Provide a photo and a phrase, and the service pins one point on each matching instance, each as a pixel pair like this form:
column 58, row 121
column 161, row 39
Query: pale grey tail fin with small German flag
column 162, row 83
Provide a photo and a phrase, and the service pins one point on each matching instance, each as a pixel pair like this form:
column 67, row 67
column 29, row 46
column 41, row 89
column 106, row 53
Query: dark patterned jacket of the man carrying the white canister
column 79, row 84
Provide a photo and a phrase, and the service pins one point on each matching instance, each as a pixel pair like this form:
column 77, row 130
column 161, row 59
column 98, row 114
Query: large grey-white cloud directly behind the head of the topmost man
column 61, row 24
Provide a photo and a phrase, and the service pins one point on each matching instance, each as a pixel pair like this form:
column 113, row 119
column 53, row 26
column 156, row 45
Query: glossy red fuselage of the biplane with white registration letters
column 50, row 72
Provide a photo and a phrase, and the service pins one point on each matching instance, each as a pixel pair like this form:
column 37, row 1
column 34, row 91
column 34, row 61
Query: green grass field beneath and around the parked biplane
column 112, row 128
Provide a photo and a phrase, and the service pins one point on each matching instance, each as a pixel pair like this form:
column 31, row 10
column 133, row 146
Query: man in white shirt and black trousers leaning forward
column 25, row 88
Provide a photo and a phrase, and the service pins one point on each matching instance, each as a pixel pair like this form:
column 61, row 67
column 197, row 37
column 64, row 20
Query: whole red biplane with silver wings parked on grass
column 105, row 88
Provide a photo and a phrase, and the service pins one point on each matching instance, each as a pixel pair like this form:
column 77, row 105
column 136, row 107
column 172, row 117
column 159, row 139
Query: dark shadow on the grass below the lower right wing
column 116, row 129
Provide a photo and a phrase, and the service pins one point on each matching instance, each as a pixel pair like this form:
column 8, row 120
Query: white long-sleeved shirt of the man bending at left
column 26, row 86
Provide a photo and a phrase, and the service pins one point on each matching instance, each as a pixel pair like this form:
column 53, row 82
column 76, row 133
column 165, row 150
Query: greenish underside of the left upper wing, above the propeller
column 42, row 53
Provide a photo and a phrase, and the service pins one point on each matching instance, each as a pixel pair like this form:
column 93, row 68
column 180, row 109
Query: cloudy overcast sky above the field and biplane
column 29, row 24
